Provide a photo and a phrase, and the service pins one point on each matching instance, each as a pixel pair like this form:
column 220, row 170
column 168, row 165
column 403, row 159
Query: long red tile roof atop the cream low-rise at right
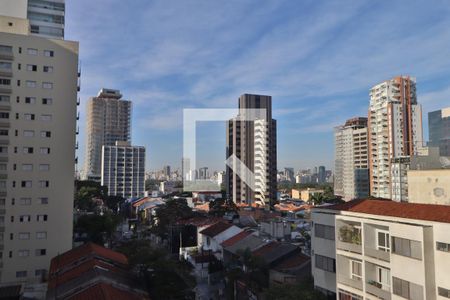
column 426, row 212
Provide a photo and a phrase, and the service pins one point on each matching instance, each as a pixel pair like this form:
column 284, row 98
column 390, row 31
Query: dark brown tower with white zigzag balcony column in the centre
column 255, row 144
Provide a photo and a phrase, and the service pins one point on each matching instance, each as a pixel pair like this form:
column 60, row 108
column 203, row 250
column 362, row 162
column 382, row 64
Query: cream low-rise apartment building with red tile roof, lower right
column 373, row 249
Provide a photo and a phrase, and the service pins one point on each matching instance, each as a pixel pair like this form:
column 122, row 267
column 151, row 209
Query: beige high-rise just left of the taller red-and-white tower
column 351, row 165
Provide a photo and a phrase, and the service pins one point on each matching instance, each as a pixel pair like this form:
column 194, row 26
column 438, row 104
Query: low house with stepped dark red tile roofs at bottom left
column 92, row 272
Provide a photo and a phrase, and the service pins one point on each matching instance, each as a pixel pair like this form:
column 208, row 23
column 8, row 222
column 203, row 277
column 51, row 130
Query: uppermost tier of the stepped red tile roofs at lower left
column 85, row 250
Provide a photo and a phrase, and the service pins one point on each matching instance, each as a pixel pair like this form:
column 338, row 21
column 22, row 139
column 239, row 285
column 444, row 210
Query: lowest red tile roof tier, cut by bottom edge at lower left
column 104, row 291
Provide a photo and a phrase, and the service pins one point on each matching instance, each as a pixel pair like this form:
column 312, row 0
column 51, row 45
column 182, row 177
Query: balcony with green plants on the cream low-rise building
column 349, row 236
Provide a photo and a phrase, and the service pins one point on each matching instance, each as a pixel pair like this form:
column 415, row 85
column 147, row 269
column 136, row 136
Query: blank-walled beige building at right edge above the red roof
column 429, row 186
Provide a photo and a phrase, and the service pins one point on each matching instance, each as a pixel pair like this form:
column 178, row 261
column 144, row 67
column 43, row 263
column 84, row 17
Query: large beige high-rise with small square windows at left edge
column 38, row 108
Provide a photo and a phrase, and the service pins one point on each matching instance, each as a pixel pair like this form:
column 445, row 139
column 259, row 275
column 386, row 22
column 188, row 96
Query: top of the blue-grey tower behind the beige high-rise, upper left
column 47, row 17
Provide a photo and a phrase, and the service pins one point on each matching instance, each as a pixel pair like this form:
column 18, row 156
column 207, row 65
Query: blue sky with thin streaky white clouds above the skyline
column 318, row 60
